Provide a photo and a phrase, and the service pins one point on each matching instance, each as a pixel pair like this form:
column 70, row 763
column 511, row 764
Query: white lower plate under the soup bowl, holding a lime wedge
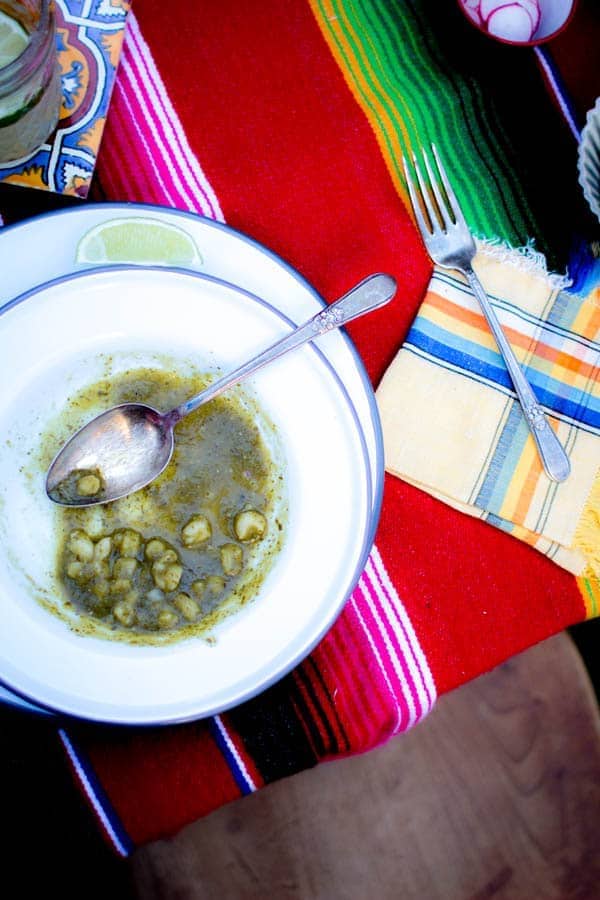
column 44, row 248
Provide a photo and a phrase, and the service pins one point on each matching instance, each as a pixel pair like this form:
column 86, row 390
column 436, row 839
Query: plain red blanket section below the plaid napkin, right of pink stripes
column 475, row 596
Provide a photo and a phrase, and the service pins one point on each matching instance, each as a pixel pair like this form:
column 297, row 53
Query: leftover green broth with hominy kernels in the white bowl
column 223, row 471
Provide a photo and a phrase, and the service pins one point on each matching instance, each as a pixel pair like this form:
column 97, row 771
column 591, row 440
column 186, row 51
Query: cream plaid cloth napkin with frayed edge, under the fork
column 453, row 427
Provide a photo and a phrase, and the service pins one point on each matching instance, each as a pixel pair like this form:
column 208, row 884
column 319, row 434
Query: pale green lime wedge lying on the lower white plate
column 138, row 240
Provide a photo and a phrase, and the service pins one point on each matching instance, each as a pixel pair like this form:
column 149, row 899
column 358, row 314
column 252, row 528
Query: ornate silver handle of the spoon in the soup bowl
column 374, row 291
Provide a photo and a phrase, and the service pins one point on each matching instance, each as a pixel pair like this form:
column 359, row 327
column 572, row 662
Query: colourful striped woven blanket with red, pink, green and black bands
column 287, row 120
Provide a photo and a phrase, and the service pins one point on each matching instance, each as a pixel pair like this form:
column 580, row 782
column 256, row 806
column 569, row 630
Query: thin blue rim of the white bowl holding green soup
column 34, row 705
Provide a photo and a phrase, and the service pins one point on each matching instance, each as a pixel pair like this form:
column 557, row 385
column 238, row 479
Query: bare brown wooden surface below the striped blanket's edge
column 496, row 794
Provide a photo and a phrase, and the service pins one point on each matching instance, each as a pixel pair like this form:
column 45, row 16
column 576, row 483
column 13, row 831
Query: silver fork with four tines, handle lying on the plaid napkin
column 450, row 244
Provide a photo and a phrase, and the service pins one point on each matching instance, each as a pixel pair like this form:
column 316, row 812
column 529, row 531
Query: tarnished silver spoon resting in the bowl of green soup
column 128, row 446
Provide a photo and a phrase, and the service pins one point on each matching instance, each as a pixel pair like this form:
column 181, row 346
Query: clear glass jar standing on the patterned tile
column 30, row 83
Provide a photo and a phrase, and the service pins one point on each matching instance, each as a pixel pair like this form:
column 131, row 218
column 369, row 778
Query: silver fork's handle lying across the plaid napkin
column 552, row 454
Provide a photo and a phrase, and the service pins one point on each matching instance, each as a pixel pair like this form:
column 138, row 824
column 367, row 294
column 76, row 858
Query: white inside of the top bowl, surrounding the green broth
column 57, row 339
